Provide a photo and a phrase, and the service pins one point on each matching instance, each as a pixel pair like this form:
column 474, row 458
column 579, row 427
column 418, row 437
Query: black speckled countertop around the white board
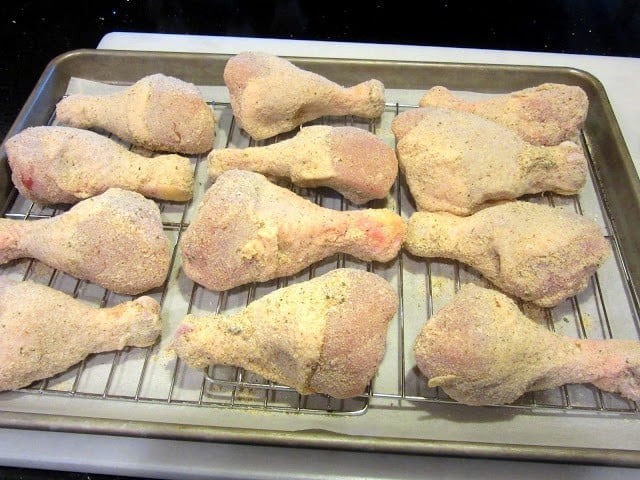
column 36, row 31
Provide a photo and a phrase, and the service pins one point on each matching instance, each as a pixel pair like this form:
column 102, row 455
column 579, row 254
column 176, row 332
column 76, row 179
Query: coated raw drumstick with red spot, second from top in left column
column 65, row 165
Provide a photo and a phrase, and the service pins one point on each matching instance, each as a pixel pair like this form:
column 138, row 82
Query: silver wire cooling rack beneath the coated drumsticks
column 424, row 285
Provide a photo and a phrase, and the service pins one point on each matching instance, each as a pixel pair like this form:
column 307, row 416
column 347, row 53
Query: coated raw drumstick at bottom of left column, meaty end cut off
column 45, row 331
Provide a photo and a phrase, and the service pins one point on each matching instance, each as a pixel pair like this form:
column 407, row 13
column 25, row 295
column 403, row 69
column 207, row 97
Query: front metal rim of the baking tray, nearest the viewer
column 322, row 439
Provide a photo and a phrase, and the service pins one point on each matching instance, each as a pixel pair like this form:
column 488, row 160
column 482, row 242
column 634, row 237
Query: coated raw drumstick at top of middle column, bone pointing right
column 270, row 95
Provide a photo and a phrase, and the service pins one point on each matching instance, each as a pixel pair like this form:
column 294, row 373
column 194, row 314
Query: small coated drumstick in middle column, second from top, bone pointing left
column 349, row 160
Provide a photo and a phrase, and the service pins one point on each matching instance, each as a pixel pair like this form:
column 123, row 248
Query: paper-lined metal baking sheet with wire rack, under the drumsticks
column 144, row 392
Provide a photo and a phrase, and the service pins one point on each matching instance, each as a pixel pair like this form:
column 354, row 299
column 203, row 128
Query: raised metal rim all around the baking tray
column 618, row 182
